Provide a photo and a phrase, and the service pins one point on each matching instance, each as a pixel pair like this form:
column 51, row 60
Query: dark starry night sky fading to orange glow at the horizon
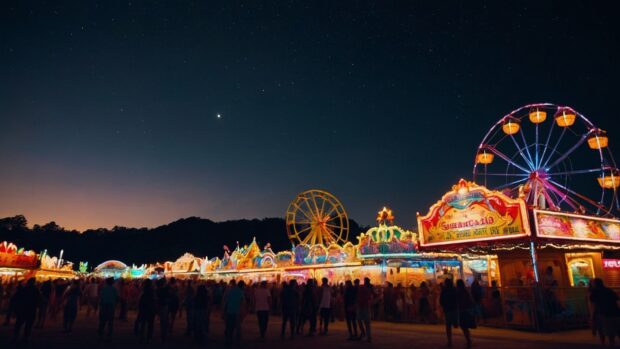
column 108, row 109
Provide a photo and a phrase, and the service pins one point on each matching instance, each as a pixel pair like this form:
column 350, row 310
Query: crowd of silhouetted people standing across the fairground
column 306, row 308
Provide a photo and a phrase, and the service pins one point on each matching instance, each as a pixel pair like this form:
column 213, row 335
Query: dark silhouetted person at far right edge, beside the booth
column 607, row 313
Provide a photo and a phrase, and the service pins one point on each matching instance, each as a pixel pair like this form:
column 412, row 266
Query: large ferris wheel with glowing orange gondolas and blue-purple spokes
column 554, row 157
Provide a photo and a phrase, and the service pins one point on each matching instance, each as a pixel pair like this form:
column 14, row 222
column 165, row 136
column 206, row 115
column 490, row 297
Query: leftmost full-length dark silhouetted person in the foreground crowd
column 26, row 303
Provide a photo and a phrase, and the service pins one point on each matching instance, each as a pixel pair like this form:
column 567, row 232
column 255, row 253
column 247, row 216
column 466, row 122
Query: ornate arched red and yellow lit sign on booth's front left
column 469, row 213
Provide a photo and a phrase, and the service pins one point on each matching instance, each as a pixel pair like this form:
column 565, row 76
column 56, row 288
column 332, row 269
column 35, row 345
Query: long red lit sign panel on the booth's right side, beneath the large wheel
column 560, row 225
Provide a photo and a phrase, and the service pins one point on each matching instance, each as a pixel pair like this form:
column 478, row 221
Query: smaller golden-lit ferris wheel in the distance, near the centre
column 317, row 217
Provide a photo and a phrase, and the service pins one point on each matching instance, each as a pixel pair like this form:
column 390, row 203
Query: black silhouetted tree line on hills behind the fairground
column 199, row 236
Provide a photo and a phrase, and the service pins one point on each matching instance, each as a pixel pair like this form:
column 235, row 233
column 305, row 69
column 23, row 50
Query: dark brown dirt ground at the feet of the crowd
column 385, row 335
